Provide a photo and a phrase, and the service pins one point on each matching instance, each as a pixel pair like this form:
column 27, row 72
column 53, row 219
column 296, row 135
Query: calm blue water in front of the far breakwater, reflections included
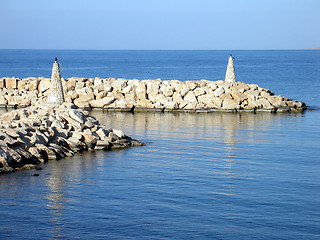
column 205, row 176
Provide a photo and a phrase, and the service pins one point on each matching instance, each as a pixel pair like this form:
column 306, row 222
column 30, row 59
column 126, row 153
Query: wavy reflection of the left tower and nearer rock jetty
column 63, row 179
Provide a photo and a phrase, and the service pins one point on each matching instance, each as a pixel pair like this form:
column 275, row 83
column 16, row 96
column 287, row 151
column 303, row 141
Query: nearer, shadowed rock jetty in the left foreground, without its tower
column 36, row 134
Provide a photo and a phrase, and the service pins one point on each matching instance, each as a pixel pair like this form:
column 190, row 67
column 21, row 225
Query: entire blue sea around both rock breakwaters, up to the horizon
column 200, row 175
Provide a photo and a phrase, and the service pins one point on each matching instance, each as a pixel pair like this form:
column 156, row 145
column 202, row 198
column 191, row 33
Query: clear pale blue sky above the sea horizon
column 159, row 24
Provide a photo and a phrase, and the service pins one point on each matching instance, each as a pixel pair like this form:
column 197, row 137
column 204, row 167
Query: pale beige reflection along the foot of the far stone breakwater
column 226, row 128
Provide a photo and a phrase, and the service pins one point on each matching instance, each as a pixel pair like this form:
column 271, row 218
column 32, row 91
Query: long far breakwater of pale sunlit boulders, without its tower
column 146, row 95
